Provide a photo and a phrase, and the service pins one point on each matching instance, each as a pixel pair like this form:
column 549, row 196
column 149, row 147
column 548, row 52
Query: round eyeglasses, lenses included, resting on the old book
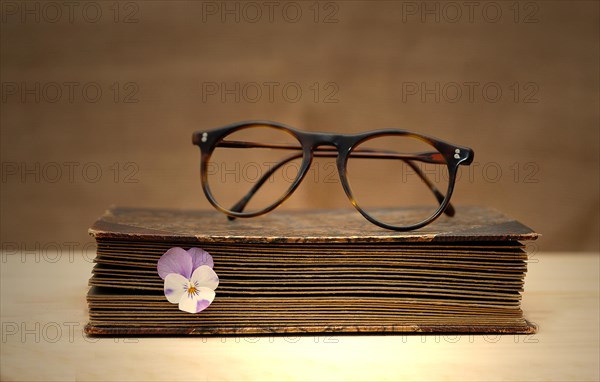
column 250, row 168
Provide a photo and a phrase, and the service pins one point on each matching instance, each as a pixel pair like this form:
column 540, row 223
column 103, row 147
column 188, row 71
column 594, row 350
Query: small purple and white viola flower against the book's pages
column 189, row 278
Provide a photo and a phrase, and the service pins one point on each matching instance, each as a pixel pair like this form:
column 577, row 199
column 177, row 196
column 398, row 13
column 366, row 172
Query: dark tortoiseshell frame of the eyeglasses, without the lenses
column 449, row 154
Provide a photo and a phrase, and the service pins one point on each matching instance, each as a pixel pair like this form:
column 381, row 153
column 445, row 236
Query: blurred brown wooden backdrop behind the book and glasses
column 99, row 100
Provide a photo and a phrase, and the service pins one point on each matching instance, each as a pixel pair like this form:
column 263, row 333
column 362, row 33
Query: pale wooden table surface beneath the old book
column 44, row 311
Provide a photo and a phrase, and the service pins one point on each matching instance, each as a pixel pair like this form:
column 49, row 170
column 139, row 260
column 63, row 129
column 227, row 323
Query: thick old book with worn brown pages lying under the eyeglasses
column 312, row 272
